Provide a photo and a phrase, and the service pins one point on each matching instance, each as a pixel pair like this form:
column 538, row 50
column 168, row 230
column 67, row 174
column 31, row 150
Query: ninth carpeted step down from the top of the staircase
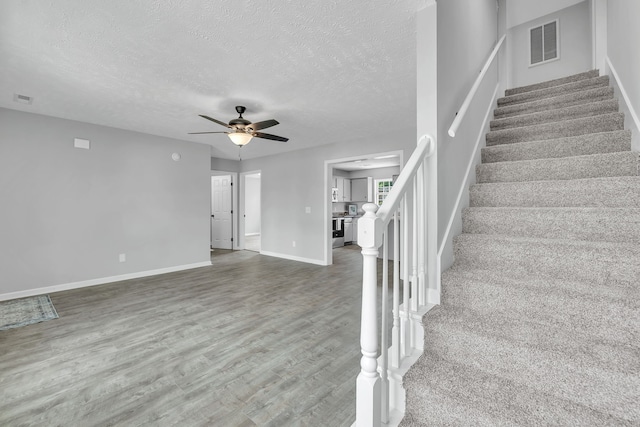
column 607, row 225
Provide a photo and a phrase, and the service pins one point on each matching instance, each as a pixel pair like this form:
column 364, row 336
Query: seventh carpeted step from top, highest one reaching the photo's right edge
column 623, row 163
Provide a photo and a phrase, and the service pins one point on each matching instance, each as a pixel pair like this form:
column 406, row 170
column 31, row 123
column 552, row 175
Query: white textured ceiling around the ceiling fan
column 328, row 71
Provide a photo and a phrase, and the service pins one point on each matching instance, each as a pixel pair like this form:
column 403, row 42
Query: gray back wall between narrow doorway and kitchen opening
column 295, row 180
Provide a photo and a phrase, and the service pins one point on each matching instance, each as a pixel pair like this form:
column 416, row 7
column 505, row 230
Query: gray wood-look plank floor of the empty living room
column 250, row 341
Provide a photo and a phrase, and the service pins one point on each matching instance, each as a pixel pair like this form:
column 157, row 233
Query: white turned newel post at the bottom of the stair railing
column 368, row 382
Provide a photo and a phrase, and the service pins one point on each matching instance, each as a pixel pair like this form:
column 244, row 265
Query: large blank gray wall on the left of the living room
column 68, row 213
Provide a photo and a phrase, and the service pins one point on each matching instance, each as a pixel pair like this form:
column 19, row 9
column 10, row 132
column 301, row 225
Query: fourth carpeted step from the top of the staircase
column 550, row 116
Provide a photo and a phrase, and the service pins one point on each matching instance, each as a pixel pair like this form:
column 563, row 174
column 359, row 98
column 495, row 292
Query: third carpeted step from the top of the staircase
column 566, row 100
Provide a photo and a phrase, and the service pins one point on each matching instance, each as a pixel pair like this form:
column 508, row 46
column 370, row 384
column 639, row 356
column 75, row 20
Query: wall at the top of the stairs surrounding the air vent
column 575, row 46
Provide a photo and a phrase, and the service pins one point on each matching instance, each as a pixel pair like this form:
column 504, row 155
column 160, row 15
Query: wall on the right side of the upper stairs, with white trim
column 623, row 52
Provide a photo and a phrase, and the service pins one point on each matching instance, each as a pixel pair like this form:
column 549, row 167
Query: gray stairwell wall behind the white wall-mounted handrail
column 467, row 33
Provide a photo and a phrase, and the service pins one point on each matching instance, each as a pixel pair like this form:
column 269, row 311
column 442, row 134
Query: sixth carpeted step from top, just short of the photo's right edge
column 581, row 145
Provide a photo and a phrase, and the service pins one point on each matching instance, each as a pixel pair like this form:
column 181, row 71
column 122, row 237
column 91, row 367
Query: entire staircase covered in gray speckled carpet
column 540, row 315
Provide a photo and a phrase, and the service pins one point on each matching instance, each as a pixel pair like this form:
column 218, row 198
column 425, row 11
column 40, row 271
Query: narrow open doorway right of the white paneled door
column 252, row 229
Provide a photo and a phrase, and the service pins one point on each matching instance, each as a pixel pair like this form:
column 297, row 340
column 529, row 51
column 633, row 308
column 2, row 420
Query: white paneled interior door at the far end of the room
column 221, row 212
